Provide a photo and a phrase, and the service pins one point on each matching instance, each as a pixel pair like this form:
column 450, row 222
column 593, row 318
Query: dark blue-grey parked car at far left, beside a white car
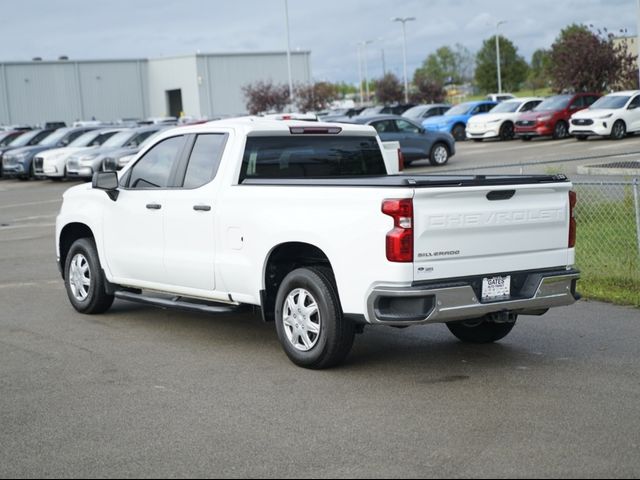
column 19, row 162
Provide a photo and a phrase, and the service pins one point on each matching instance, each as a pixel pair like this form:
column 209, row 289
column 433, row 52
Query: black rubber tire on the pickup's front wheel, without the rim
column 97, row 300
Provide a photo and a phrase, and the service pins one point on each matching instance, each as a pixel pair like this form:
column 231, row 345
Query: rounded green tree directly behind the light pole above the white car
column 514, row 68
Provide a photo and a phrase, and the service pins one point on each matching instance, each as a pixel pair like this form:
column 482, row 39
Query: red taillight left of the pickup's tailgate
column 400, row 239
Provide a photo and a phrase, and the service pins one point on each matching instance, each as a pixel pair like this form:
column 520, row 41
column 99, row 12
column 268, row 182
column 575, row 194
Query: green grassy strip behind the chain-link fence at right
column 607, row 250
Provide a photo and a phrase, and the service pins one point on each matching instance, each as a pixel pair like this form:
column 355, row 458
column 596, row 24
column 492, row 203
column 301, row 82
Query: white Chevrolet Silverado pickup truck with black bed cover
column 303, row 222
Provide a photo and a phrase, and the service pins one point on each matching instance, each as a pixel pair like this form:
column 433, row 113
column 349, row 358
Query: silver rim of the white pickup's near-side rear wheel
column 301, row 320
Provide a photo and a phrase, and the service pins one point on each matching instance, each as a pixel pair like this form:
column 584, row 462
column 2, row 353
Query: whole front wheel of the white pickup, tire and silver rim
column 84, row 279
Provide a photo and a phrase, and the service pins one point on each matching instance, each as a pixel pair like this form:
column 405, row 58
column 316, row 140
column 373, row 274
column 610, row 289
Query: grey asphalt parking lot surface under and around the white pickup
column 143, row 392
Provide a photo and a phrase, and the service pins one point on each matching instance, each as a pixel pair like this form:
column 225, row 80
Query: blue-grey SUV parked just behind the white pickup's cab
column 416, row 143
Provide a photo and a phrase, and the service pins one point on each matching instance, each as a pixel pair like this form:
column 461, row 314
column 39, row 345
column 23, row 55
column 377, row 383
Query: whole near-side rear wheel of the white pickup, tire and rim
column 309, row 320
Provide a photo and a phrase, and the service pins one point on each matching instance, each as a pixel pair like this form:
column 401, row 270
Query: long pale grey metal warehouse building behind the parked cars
column 198, row 85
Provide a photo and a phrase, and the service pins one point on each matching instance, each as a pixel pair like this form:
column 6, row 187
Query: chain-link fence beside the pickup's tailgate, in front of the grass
column 608, row 242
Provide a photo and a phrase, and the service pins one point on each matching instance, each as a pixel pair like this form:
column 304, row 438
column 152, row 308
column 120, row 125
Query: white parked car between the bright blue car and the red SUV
column 500, row 121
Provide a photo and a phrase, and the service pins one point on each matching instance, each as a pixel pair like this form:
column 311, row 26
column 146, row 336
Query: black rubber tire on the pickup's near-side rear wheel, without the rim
column 335, row 335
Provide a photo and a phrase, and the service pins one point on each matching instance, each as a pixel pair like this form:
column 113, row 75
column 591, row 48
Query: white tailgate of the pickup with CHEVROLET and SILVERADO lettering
column 482, row 230
